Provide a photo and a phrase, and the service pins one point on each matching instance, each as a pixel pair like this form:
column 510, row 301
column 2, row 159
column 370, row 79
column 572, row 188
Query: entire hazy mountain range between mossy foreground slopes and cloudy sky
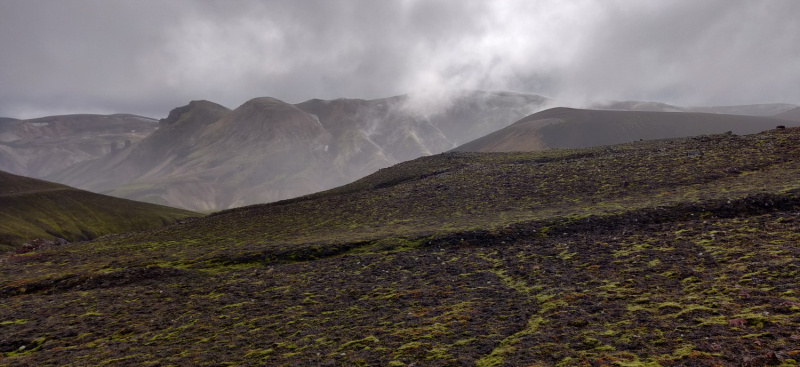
column 206, row 157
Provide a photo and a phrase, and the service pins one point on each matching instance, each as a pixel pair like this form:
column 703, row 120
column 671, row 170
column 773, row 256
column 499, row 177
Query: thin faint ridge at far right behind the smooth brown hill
column 765, row 109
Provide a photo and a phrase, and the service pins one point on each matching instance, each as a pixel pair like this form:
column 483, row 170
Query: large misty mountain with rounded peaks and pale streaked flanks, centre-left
column 268, row 150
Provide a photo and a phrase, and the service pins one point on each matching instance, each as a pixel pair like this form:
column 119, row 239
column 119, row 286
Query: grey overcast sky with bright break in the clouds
column 147, row 57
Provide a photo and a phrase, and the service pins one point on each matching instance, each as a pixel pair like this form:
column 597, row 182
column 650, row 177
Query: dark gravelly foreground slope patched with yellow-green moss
column 634, row 255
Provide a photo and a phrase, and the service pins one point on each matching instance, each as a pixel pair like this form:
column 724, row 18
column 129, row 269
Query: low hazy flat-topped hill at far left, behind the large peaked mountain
column 41, row 146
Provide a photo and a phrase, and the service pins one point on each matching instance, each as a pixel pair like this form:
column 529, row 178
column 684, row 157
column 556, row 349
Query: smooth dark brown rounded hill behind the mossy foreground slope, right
column 576, row 128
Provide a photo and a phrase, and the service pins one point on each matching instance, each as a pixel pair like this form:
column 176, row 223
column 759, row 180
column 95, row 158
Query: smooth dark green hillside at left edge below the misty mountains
column 31, row 208
